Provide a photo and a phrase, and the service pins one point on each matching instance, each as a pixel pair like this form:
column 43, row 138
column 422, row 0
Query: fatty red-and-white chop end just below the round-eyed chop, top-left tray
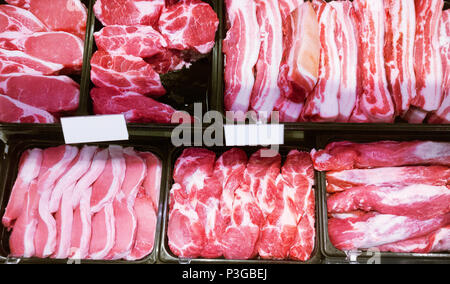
column 13, row 61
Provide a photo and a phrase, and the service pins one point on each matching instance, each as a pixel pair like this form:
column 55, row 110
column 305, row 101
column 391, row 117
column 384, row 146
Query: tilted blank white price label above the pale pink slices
column 99, row 128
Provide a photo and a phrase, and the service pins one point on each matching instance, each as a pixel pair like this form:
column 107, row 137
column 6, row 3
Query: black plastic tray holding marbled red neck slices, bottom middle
column 166, row 256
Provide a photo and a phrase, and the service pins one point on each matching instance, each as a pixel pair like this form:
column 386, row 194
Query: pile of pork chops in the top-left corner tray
column 37, row 46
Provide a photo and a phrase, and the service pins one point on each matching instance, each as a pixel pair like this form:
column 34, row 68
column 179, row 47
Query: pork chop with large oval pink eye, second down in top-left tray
column 56, row 47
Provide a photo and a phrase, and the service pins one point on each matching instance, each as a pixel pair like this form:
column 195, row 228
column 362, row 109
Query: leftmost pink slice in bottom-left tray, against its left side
column 29, row 166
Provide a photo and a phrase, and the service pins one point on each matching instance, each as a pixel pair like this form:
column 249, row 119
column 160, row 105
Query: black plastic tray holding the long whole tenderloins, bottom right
column 328, row 249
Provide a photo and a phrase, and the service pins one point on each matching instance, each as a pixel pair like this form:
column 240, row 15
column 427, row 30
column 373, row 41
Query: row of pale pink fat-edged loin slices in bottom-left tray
column 84, row 204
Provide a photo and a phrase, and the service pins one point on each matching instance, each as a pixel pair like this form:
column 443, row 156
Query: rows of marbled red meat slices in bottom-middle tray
column 237, row 208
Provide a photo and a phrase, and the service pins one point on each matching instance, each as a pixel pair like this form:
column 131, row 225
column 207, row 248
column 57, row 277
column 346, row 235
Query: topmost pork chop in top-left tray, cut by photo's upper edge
column 62, row 15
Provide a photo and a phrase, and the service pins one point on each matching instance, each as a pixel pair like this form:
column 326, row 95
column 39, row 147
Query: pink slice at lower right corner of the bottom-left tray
column 146, row 228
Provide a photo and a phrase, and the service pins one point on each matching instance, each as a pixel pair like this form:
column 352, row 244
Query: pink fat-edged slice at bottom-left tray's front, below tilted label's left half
column 81, row 226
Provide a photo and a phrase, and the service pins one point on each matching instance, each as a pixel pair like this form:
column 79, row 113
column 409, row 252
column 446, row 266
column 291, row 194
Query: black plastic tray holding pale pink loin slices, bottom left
column 9, row 168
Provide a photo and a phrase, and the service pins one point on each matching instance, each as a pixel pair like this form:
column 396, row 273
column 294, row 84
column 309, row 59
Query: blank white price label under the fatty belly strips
column 254, row 135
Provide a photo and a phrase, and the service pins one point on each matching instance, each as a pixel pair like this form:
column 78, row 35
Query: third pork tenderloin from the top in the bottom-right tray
column 418, row 201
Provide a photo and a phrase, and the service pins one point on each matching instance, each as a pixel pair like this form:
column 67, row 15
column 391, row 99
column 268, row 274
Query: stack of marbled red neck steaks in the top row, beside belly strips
column 140, row 41
